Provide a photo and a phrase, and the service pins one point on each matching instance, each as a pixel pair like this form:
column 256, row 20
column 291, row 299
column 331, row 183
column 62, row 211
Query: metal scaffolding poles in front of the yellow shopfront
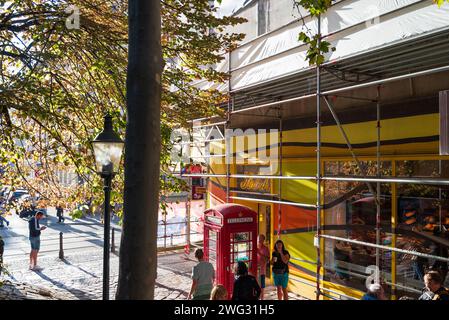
column 319, row 178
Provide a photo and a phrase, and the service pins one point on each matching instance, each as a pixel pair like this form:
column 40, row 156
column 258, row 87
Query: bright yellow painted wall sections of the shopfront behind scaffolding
column 300, row 245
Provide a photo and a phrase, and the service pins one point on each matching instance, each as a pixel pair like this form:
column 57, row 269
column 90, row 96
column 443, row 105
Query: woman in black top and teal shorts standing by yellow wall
column 279, row 260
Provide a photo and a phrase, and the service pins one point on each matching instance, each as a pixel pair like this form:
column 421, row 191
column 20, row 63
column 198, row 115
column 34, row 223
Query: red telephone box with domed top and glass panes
column 230, row 235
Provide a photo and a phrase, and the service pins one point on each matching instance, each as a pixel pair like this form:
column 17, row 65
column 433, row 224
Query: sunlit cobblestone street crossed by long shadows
column 79, row 276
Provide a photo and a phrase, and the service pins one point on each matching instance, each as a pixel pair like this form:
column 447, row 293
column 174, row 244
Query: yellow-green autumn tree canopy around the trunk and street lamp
column 58, row 80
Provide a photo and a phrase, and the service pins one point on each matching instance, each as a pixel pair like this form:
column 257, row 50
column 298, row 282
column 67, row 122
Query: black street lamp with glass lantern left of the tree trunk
column 108, row 148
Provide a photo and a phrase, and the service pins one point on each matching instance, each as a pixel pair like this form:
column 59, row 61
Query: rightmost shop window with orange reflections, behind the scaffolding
column 423, row 223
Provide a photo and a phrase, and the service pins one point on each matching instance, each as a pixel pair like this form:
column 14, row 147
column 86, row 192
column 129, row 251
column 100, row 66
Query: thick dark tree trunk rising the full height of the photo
column 138, row 250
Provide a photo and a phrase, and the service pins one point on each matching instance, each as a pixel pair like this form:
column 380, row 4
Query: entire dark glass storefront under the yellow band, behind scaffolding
column 421, row 225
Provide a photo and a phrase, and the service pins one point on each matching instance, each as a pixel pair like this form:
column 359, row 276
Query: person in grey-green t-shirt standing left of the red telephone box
column 203, row 278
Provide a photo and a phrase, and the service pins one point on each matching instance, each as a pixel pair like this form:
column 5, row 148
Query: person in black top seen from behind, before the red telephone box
column 246, row 286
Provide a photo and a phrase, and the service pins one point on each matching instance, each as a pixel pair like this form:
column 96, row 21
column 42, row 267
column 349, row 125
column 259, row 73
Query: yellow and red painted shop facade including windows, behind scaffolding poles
column 409, row 143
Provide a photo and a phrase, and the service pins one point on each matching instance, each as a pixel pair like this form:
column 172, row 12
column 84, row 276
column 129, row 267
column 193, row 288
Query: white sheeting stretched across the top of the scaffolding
column 353, row 27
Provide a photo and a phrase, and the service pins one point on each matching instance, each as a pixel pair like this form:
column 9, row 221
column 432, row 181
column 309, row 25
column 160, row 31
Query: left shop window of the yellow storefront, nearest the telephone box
column 350, row 213
